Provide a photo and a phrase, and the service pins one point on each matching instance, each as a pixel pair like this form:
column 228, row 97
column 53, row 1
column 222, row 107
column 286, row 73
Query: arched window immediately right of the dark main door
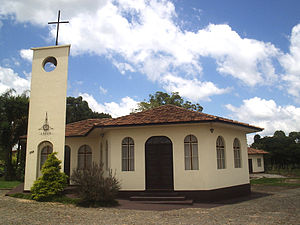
column 191, row 153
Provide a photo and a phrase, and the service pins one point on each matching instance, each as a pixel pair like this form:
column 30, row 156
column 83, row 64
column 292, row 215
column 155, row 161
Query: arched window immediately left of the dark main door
column 127, row 154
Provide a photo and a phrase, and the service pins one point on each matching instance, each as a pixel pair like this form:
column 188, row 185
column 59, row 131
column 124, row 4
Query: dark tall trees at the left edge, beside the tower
column 13, row 124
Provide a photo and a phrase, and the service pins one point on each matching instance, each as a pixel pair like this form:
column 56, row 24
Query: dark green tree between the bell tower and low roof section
column 77, row 109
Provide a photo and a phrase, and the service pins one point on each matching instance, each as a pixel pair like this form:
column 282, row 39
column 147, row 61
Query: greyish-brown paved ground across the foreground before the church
column 276, row 207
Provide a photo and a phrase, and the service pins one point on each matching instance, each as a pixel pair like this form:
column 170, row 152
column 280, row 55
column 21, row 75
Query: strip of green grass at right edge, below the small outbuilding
column 291, row 182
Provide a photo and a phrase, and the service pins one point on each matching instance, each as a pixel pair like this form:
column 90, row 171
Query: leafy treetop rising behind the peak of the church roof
column 162, row 98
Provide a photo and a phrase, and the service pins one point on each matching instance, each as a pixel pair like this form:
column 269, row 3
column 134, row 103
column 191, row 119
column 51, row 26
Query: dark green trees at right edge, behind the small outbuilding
column 284, row 151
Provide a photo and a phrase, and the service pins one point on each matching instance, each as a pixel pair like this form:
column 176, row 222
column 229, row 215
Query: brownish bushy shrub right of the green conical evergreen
column 94, row 188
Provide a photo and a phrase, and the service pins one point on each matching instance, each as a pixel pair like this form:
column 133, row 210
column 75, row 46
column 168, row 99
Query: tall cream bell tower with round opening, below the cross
column 47, row 108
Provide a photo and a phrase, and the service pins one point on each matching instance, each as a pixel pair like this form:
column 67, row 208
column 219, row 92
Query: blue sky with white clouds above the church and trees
column 238, row 59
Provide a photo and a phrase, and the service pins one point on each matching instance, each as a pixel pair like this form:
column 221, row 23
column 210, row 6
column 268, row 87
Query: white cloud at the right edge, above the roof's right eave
column 268, row 115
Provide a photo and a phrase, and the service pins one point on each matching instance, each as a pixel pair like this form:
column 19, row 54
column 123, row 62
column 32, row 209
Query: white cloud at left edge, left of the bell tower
column 9, row 79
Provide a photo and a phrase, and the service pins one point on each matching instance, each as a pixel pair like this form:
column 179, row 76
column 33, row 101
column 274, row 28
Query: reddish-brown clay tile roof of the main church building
column 166, row 114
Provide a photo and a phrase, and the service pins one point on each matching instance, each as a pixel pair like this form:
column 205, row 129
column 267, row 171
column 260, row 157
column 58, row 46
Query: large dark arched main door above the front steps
column 159, row 163
